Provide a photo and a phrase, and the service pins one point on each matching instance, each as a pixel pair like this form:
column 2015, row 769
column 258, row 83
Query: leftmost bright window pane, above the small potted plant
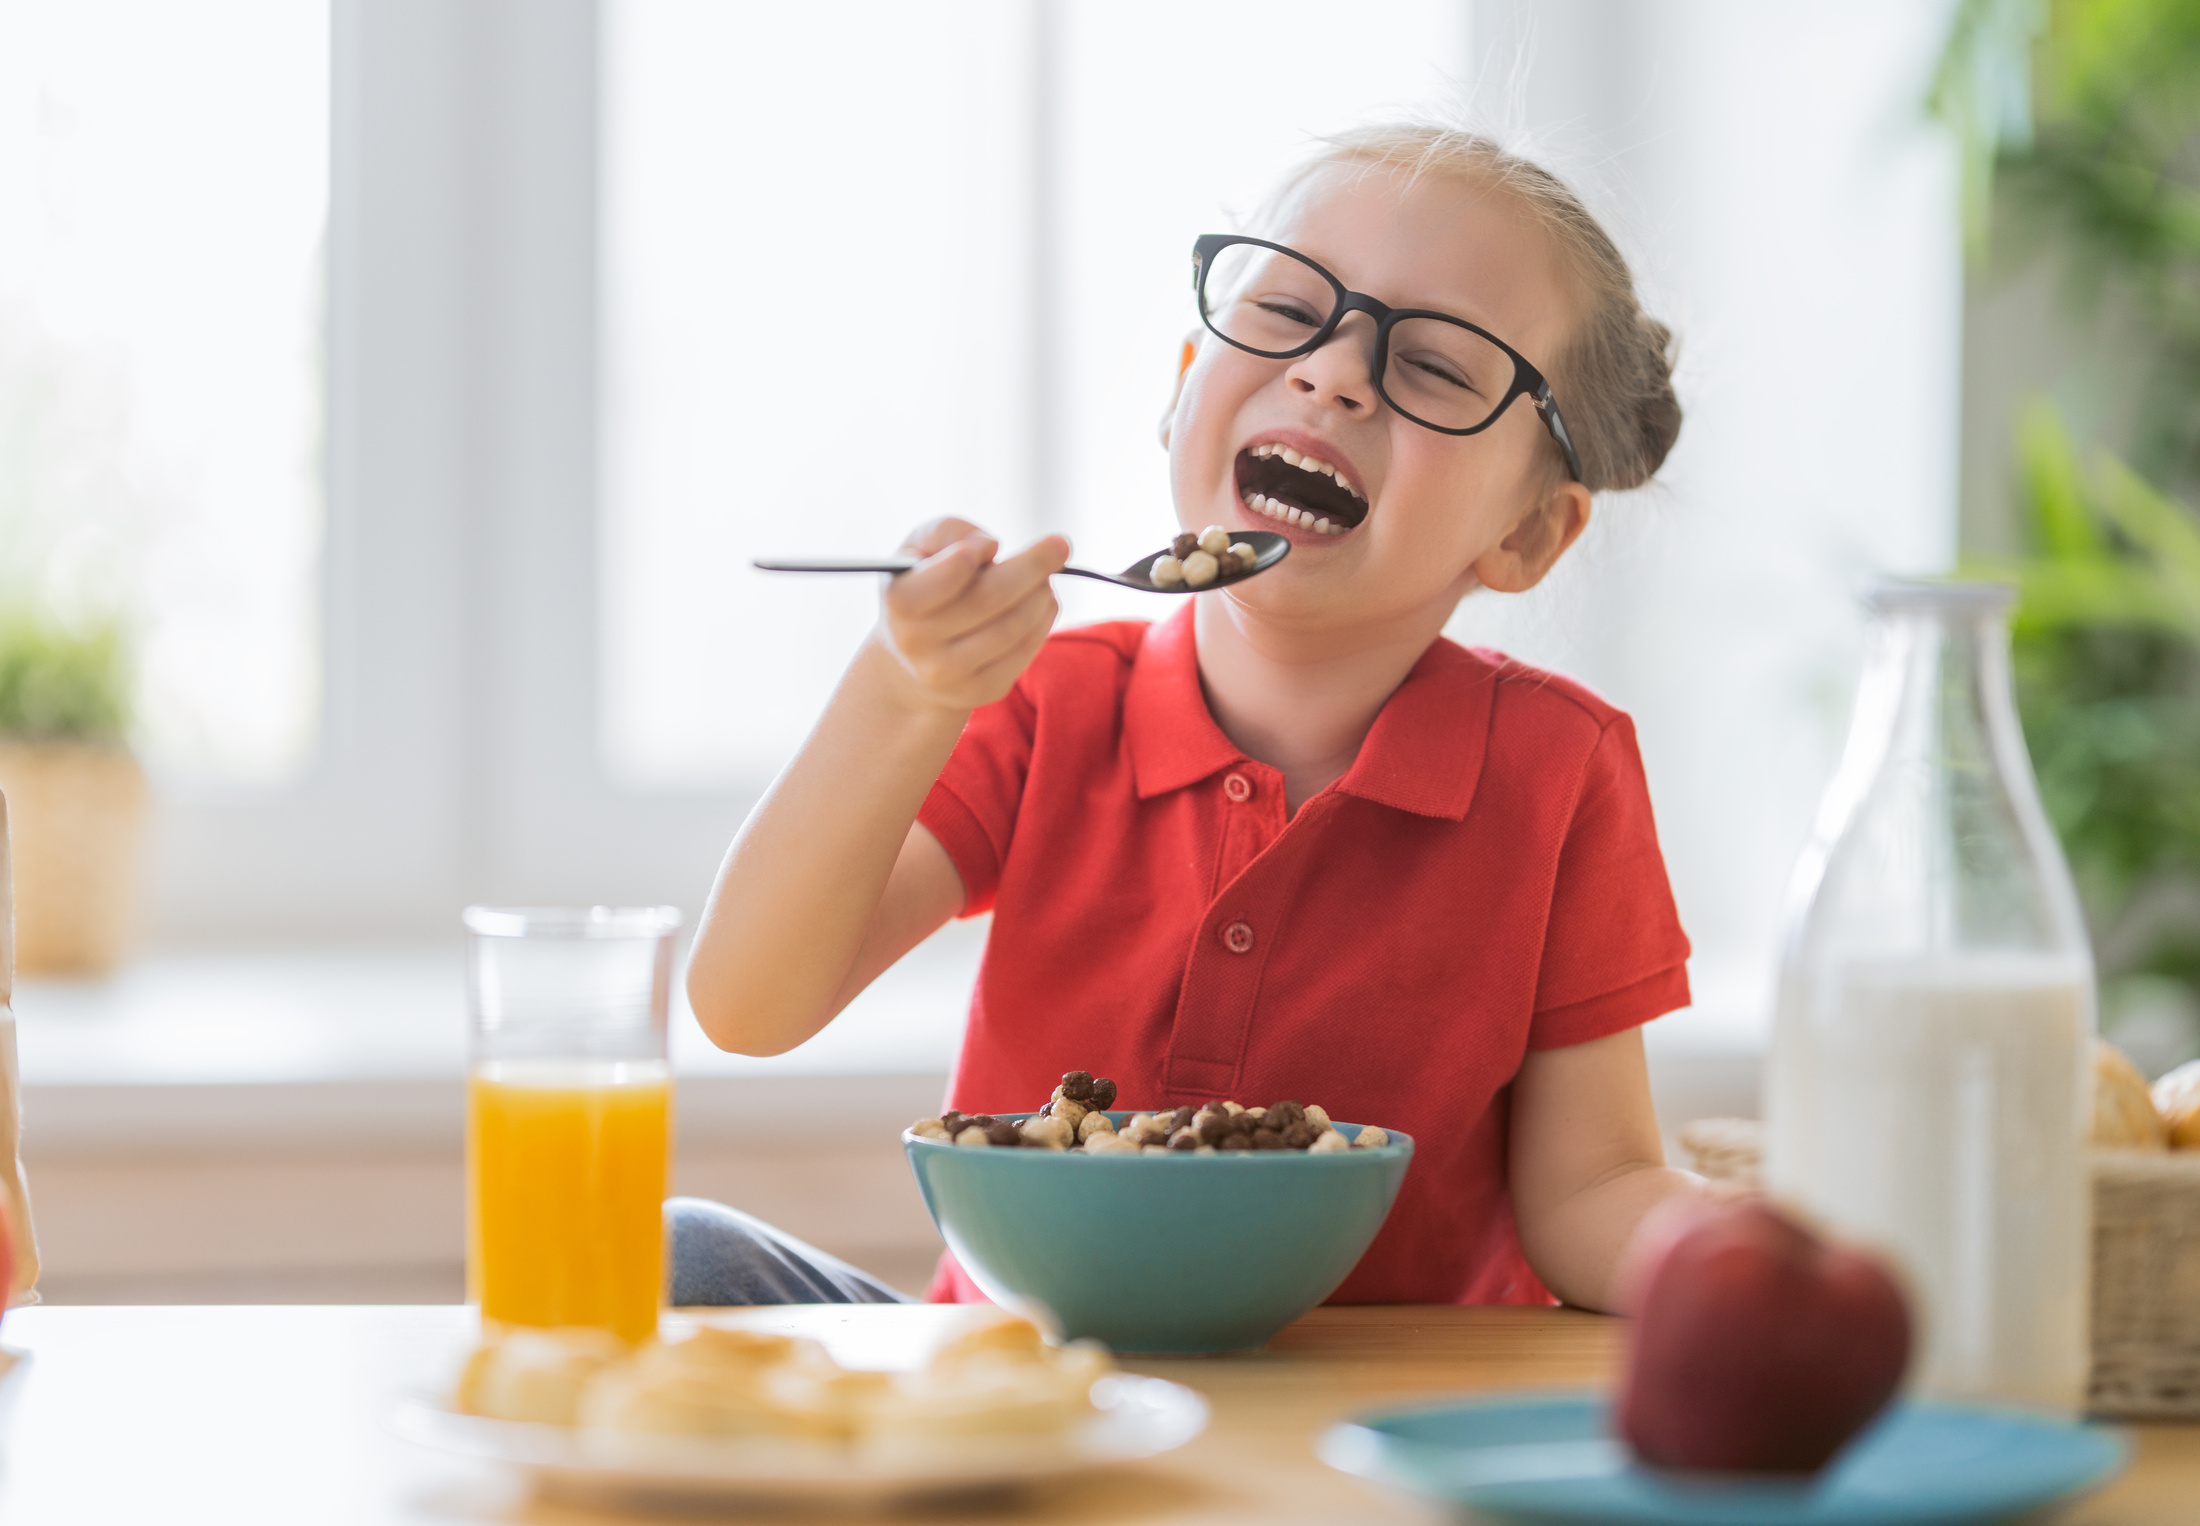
column 164, row 201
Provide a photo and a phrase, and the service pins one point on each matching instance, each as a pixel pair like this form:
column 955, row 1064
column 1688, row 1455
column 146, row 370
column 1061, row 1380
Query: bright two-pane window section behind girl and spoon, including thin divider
column 822, row 234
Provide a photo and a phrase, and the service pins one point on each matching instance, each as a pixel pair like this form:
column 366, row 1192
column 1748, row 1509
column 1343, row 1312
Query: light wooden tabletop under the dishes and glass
column 276, row 1415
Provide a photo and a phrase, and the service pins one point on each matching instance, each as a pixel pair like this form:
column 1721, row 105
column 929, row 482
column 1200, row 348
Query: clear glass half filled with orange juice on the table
column 569, row 1116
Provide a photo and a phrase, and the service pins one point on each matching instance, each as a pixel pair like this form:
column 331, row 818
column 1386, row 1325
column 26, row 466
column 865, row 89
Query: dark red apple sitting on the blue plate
column 1757, row 1347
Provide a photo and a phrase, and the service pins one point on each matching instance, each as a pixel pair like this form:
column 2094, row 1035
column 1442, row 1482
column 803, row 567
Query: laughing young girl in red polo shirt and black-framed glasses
column 1288, row 841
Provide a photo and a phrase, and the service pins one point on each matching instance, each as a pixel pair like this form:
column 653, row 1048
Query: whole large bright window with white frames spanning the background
column 624, row 294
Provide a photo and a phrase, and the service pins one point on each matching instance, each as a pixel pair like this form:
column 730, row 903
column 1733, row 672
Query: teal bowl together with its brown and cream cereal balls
column 1191, row 1230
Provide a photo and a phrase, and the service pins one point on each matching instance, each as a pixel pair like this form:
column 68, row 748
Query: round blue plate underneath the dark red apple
column 1552, row 1459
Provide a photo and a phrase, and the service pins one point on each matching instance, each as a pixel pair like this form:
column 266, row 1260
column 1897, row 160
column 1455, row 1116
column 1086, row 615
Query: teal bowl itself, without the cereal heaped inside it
column 1160, row 1254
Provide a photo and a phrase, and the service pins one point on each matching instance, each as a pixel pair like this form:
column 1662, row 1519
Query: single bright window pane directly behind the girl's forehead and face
column 1165, row 142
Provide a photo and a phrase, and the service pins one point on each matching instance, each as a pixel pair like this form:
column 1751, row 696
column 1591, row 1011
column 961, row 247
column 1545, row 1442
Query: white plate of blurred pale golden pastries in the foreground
column 734, row 1411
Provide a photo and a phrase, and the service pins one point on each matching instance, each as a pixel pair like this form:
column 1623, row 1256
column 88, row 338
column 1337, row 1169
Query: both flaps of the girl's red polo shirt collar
column 1424, row 753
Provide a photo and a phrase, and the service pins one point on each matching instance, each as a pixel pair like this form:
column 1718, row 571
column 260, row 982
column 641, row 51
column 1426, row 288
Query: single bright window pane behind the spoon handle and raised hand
column 815, row 236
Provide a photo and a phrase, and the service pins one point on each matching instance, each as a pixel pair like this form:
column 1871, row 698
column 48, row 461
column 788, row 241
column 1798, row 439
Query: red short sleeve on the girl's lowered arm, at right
column 1614, row 951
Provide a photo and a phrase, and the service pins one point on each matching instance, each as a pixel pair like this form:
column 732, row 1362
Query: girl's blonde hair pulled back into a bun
column 1614, row 379
